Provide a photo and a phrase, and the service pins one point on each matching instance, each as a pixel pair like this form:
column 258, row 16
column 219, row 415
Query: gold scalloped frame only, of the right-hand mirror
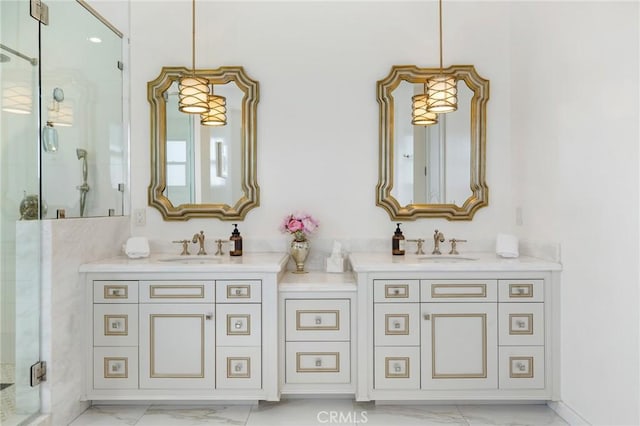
column 480, row 192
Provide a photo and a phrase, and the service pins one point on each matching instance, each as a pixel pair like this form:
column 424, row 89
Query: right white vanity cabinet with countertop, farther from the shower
column 482, row 330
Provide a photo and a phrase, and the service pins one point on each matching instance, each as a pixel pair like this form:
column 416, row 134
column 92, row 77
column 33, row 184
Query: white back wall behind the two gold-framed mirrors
column 317, row 64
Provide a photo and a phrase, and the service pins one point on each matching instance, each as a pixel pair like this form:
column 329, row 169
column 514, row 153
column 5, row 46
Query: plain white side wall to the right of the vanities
column 575, row 140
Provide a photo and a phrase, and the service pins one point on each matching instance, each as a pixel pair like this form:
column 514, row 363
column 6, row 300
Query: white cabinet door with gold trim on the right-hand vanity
column 459, row 346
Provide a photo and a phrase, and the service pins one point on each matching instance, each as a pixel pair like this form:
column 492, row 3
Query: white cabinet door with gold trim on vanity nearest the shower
column 177, row 346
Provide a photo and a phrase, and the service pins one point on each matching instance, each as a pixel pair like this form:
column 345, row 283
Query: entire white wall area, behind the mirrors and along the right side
column 570, row 164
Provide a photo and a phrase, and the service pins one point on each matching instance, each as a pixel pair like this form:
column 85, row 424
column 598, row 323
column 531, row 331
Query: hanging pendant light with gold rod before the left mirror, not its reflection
column 193, row 91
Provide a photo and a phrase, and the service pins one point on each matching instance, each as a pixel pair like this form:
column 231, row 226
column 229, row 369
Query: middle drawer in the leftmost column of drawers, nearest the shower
column 115, row 325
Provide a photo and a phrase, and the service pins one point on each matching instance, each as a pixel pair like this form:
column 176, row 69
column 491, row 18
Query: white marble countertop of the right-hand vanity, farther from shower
column 471, row 261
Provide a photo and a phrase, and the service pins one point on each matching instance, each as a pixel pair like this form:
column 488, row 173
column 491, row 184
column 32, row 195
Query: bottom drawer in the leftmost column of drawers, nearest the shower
column 115, row 368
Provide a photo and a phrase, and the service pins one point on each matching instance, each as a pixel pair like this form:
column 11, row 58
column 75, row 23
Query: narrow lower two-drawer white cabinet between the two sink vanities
column 317, row 333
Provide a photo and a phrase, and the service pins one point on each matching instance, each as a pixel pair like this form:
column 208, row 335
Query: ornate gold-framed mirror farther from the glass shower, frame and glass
column 438, row 170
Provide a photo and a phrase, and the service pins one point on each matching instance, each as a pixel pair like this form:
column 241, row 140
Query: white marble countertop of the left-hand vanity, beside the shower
column 164, row 262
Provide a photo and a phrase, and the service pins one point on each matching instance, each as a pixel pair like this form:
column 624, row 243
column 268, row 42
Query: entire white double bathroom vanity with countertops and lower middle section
column 473, row 327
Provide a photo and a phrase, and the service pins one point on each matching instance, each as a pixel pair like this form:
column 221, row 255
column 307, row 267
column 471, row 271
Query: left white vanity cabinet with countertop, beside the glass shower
column 161, row 331
